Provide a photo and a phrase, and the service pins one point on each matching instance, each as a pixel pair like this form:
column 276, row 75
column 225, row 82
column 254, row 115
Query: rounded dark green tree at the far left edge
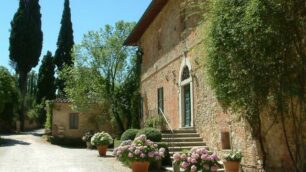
column 8, row 99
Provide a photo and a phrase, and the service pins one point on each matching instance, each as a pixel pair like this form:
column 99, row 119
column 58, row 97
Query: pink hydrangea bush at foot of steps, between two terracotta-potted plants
column 198, row 159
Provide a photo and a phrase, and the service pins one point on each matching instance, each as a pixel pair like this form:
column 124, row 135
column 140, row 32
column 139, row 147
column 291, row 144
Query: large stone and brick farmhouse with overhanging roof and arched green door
column 173, row 82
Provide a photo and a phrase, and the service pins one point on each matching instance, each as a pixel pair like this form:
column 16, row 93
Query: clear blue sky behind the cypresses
column 86, row 15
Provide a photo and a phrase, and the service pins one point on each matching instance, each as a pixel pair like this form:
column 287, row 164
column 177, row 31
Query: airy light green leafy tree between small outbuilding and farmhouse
column 104, row 66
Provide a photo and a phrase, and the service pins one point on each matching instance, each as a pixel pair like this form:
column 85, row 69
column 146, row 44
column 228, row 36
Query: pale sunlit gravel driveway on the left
column 28, row 152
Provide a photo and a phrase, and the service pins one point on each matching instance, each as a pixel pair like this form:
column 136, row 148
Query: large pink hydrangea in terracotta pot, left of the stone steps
column 139, row 153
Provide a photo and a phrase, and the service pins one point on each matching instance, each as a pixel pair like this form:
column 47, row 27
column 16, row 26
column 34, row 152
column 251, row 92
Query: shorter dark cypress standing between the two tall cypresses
column 46, row 80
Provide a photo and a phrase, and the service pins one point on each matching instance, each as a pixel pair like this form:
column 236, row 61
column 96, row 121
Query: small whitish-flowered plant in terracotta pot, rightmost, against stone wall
column 232, row 161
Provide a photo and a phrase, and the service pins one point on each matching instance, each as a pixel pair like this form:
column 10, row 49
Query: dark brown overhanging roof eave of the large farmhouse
column 145, row 21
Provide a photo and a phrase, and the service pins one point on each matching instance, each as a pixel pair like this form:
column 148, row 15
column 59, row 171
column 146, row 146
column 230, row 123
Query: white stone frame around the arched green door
column 185, row 63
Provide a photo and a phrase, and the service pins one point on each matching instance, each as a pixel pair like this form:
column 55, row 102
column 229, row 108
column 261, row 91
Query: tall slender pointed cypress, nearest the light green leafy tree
column 64, row 44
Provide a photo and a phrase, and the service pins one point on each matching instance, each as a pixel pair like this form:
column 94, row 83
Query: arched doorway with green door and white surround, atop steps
column 186, row 95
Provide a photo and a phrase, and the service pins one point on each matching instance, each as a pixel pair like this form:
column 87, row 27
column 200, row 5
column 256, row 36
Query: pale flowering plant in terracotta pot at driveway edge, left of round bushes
column 101, row 141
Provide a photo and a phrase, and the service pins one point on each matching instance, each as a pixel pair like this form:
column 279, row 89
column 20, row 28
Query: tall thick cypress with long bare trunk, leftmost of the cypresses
column 25, row 45
